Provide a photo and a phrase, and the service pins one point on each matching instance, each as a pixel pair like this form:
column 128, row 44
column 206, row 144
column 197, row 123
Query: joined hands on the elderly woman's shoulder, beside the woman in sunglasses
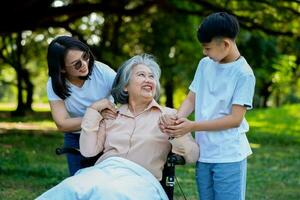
column 106, row 108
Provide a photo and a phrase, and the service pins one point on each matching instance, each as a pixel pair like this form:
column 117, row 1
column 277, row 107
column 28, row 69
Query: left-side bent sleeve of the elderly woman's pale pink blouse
column 92, row 135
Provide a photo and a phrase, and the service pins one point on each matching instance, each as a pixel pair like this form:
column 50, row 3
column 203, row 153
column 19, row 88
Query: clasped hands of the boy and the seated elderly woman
column 174, row 127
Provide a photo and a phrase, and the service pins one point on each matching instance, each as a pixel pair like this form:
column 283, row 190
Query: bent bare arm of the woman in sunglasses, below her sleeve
column 62, row 118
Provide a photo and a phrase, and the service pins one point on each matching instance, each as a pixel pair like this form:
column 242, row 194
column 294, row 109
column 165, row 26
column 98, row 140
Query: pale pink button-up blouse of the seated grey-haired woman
column 136, row 138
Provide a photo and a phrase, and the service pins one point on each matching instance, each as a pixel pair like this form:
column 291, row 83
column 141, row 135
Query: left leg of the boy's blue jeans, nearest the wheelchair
column 204, row 180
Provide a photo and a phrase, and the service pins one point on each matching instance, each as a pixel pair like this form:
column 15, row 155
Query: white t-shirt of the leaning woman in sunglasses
column 97, row 87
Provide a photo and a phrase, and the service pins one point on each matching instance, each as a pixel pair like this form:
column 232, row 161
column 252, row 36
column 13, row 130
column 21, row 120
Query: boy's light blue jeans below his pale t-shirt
column 221, row 181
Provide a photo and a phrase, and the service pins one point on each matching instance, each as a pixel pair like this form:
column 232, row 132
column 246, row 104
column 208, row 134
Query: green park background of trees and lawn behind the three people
column 118, row 29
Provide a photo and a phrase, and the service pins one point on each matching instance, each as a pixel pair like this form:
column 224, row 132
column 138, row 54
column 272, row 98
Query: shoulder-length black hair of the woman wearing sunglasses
column 57, row 50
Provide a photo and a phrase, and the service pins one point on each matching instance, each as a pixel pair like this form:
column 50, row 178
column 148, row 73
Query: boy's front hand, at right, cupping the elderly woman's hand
column 181, row 127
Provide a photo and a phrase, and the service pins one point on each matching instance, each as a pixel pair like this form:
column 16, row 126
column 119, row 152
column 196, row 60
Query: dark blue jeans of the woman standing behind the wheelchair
column 74, row 161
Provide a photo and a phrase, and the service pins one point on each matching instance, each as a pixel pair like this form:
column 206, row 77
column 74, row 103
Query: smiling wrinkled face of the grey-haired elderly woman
column 141, row 84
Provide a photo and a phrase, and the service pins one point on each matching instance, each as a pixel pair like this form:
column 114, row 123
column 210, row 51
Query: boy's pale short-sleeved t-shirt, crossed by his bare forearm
column 217, row 87
